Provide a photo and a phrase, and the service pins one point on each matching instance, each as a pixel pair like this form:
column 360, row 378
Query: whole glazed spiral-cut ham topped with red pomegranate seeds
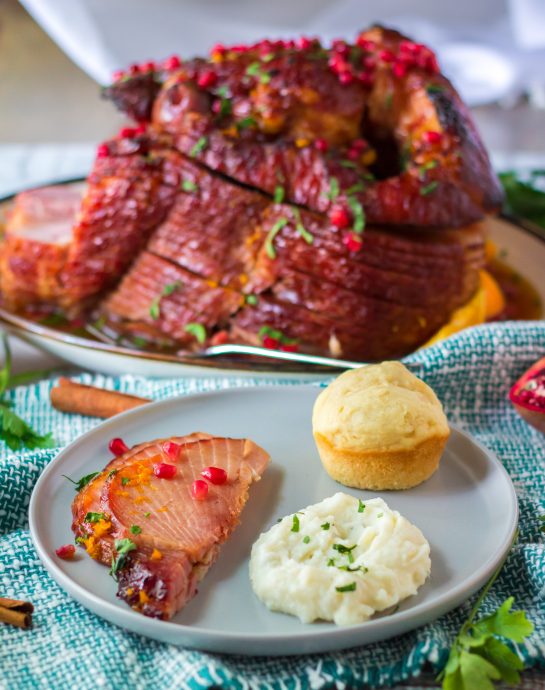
column 279, row 194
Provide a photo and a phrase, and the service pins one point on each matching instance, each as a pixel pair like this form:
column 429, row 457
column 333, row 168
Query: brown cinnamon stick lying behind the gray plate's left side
column 77, row 398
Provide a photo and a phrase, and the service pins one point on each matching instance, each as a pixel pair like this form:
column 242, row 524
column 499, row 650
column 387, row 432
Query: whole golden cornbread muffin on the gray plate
column 379, row 427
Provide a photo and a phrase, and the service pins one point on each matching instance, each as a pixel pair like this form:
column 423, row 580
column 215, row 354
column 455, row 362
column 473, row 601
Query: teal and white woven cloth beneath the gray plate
column 69, row 647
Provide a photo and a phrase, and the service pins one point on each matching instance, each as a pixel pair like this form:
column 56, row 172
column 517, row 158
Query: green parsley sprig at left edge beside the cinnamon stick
column 14, row 431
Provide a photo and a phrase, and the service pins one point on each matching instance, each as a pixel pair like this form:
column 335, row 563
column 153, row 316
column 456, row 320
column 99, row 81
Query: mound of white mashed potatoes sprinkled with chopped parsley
column 339, row 560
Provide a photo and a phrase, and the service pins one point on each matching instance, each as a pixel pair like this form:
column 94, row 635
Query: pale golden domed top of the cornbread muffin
column 378, row 407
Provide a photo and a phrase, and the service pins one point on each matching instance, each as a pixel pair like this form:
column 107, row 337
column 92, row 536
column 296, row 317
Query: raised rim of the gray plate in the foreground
column 203, row 636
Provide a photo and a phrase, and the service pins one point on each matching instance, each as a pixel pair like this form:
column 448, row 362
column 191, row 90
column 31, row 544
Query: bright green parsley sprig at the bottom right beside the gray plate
column 477, row 657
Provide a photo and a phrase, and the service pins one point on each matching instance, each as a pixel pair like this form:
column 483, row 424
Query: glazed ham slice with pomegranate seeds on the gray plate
column 157, row 537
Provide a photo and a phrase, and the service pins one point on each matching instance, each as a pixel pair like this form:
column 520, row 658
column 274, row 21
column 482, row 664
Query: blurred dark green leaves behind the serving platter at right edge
column 524, row 198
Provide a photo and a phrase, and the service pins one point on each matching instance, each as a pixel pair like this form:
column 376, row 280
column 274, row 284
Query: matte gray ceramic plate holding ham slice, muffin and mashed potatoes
column 467, row 510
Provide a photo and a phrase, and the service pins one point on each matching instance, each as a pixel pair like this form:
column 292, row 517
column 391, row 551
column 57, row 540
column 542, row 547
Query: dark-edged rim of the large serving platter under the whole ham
column 15, row 322
